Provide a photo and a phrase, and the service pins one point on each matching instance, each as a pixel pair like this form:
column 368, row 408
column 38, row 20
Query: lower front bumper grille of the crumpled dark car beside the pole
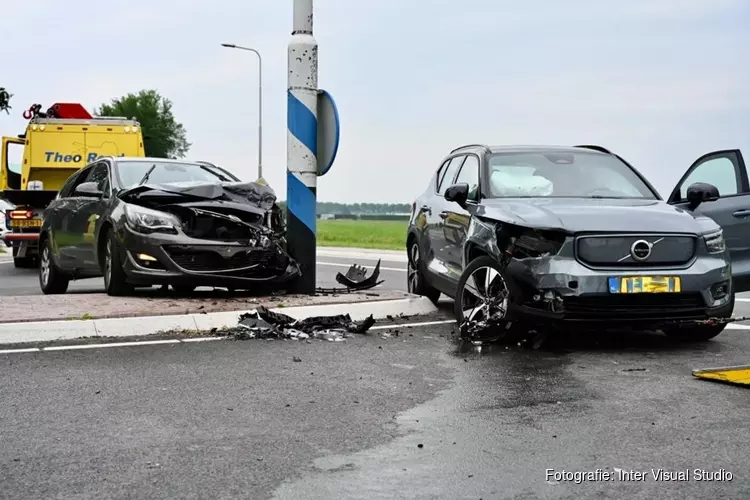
column 205, row 260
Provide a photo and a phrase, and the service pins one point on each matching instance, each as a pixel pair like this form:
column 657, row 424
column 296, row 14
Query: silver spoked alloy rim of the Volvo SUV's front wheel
column 484, row 295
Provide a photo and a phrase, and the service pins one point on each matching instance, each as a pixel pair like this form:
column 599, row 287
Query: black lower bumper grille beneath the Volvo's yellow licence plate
column 637, row 306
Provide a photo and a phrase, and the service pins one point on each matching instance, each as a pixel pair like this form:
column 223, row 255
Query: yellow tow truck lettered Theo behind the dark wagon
column 57, row 143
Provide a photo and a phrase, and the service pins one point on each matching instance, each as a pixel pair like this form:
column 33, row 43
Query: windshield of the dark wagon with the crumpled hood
column 133, row 173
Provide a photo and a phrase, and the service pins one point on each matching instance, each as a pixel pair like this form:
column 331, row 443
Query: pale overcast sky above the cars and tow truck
column 659, row 81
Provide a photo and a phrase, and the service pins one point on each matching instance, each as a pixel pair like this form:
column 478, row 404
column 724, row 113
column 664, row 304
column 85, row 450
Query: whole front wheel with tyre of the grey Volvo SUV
column 482, row 300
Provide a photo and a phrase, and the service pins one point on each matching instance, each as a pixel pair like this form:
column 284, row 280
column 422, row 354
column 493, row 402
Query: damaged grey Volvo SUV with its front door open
column 538, row 237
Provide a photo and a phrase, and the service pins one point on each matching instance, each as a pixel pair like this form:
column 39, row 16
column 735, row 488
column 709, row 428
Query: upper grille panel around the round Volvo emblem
column 615, row 250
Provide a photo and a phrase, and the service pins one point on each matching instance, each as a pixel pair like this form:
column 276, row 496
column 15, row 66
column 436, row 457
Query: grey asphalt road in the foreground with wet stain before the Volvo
column 413, row 416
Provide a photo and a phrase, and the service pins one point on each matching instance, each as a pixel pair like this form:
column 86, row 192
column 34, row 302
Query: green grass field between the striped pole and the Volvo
column 387, row 235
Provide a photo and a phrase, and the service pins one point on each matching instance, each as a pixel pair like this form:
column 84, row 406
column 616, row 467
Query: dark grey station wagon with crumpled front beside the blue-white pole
column 153, row 221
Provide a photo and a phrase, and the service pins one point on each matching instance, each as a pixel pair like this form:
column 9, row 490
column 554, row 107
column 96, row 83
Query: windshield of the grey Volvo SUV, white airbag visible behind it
column 563, row 175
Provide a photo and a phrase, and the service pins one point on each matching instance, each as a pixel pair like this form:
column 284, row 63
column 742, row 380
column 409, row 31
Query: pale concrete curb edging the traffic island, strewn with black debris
column 47, row 331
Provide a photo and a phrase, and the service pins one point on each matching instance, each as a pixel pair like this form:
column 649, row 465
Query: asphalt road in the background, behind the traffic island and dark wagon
column 25, row 281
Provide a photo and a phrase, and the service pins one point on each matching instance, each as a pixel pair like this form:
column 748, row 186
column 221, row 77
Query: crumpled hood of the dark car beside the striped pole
column 252, row 193
